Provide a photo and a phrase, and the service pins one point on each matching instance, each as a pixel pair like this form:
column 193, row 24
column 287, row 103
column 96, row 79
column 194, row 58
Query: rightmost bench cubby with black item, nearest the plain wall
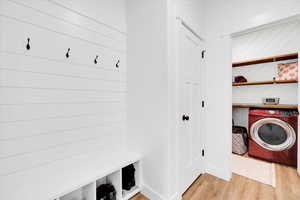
column 127, row 194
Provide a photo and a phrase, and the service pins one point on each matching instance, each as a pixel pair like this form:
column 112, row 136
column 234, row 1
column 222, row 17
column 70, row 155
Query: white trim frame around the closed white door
column 179, row 25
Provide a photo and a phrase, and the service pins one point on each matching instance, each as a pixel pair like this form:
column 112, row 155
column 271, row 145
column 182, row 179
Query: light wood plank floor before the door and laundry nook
column 208, row 187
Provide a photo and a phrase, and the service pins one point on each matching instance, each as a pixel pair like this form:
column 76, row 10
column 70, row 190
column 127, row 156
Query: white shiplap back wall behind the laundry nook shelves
column 276, row 40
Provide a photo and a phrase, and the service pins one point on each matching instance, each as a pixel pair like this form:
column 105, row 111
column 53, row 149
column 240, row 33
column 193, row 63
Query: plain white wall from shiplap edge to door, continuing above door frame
column 151, row 87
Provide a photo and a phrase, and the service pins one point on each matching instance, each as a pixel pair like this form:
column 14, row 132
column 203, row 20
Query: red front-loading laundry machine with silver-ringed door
column 273, row 135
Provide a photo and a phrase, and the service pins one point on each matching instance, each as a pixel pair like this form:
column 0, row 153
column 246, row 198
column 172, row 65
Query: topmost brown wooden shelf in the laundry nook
column 266, row 60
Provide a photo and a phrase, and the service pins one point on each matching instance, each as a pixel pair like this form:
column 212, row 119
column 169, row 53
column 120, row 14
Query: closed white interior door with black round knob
column 190, row 97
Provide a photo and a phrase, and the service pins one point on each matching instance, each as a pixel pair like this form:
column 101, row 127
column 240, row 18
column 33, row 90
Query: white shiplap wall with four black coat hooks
column 51, row 107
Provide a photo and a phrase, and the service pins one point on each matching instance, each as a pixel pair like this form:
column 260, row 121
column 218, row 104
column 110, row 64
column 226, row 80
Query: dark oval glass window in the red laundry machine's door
column 272, row 134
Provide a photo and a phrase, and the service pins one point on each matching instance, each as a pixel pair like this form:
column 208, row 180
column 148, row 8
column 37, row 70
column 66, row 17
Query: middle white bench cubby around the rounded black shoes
column 115, row 180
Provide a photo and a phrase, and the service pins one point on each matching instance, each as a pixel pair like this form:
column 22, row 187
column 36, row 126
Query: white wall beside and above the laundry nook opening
column 223, row 18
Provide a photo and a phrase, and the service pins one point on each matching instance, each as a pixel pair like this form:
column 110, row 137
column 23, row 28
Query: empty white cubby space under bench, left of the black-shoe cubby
column 85, row 193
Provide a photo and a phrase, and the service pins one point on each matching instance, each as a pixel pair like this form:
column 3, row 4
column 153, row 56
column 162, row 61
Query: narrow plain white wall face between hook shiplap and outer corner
column 148, row 89
